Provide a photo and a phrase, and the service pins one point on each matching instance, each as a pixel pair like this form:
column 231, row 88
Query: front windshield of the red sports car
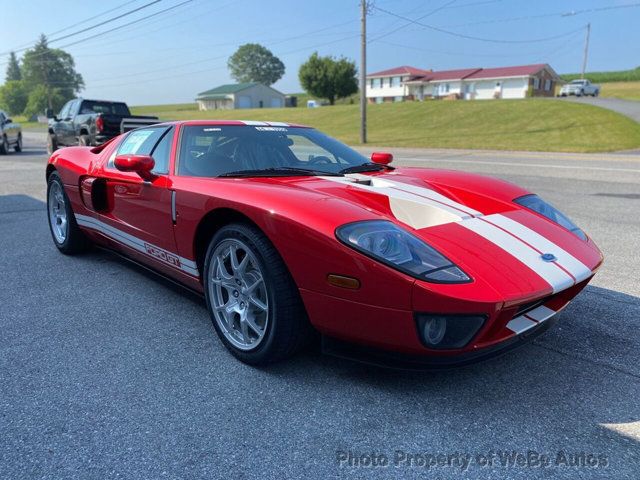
column 261, row 150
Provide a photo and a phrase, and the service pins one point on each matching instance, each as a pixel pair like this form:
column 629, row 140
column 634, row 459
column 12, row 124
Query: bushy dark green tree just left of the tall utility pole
column 326, row 77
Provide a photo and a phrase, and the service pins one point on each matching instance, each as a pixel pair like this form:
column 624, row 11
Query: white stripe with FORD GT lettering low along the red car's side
column 166, row 257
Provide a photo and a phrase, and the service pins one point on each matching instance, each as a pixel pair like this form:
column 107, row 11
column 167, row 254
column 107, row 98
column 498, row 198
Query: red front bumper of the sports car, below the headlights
column 385, row 335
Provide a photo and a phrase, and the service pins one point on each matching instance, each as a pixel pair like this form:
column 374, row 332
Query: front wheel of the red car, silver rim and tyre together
column 254, row 304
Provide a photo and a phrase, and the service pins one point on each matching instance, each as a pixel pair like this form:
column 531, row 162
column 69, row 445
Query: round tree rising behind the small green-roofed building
column 254, row 63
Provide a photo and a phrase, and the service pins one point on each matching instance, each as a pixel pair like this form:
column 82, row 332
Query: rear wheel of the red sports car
column 66, row 234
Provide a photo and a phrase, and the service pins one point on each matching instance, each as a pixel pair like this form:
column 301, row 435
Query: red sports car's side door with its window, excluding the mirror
column 138, row 213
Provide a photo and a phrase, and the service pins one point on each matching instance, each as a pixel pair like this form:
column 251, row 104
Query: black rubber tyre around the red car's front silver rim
column 288, row 329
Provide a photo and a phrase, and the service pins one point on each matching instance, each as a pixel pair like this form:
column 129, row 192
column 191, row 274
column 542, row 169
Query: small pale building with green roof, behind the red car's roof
column 240, row 95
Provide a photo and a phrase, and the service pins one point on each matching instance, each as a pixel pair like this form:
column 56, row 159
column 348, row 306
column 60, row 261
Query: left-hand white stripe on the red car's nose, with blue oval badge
column 554, row 276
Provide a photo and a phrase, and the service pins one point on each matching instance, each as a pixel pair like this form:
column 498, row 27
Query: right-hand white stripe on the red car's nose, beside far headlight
column 574, row 266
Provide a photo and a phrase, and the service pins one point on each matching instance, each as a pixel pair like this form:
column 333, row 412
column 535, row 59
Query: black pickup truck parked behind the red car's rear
column 91, row 122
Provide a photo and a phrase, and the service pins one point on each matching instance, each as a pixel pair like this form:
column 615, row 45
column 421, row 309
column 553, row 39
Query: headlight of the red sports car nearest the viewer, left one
column 391, row 245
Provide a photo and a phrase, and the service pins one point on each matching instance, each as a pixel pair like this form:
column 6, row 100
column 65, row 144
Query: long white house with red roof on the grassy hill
column 537, row 80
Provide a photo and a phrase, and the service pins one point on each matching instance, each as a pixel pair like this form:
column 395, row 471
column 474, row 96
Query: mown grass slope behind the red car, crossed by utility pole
column 532, row 124
